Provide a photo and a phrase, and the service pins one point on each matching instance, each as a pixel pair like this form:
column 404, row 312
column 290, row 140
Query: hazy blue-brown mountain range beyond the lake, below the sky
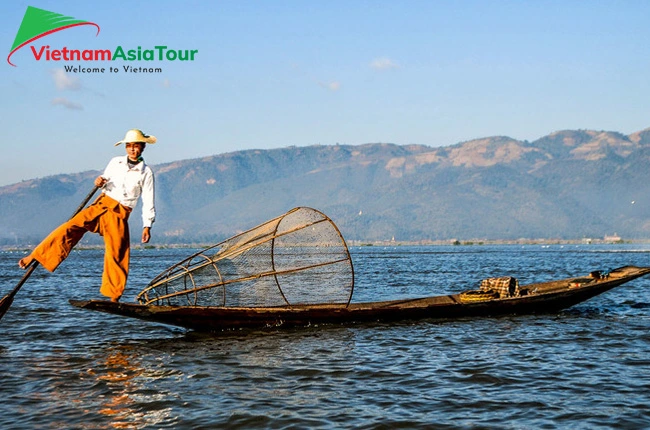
column 567, row 185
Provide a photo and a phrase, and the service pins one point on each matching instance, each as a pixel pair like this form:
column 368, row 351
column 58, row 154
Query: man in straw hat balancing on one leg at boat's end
column 125, row 179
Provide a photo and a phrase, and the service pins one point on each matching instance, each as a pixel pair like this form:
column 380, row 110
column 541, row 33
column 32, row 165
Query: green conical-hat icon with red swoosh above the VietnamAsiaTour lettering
column 38, row 23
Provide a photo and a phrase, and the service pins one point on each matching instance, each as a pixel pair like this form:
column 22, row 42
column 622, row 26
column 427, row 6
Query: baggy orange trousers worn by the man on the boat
column 107, row 217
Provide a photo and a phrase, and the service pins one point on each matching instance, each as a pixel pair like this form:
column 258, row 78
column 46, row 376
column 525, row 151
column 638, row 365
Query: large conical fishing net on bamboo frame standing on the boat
column 297, row 258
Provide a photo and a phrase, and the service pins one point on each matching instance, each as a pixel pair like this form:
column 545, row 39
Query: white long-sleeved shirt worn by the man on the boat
column 125, row 184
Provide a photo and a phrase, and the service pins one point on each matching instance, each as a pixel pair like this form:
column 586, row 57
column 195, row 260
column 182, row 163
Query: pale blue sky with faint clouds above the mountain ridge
column 271, row 74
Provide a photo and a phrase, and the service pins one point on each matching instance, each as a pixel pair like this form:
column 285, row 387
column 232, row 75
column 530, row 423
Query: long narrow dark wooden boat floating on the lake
column 533, row 298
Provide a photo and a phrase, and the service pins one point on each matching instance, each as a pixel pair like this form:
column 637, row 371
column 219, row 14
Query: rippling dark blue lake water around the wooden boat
column 587, row 367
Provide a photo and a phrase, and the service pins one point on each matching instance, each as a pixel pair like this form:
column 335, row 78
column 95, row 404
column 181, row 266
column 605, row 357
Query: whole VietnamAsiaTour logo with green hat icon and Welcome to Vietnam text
column 38, row 23
